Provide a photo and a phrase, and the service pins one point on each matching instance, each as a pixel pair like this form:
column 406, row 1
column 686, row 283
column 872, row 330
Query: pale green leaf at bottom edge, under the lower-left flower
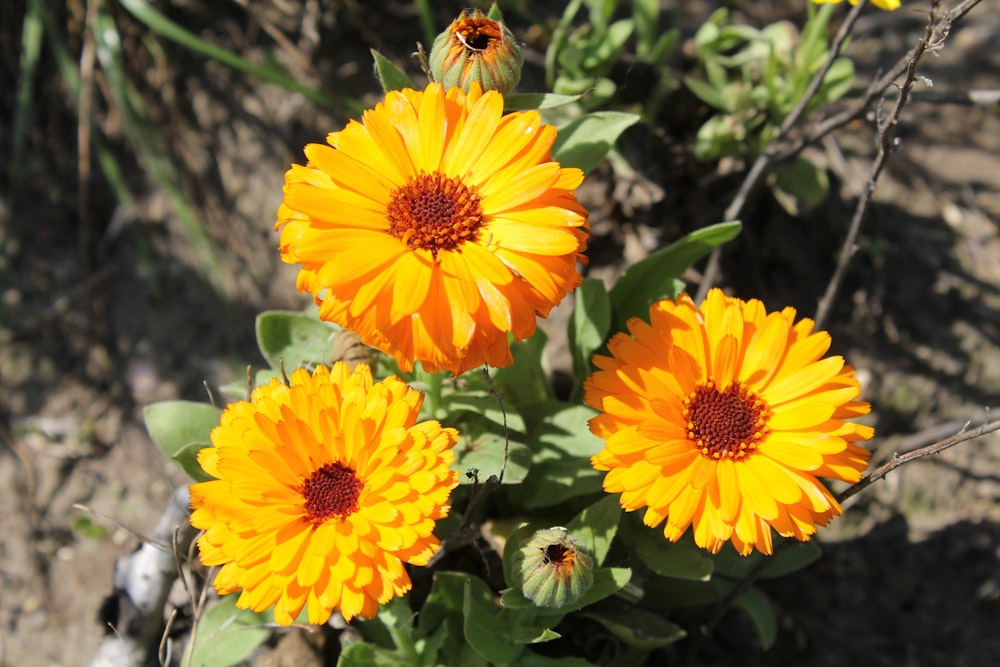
column 227, row 635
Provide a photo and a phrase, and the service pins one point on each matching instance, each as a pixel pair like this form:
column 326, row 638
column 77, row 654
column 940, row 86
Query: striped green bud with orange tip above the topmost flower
column 476, row 48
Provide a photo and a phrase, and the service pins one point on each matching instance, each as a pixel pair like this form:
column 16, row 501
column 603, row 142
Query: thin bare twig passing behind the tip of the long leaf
column 766, row 159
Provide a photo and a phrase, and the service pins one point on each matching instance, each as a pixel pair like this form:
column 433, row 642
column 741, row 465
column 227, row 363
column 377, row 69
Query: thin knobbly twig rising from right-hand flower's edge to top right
column 885, row 148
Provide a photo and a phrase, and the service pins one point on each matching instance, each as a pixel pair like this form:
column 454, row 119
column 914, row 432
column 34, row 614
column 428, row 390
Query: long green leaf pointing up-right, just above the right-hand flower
column 658, row 276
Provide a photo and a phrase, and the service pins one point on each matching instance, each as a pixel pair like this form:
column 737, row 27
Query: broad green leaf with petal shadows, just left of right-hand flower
column 562, row 445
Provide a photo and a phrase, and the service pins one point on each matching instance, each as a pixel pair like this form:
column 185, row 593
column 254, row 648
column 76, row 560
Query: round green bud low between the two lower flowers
column 552, row 568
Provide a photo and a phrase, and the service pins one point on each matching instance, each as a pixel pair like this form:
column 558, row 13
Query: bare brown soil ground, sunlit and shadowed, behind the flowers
column 105, row 310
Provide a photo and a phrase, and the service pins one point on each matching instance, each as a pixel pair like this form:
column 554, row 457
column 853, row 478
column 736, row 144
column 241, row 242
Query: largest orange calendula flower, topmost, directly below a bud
column 436, row 226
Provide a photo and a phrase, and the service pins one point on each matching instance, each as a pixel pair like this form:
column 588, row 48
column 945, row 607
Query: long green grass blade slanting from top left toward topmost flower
column 159, row 23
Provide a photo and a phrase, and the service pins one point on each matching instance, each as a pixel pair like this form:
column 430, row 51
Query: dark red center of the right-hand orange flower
column 727, row 423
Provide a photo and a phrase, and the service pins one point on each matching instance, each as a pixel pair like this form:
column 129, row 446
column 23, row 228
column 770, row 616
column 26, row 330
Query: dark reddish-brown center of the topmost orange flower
column 434, row 212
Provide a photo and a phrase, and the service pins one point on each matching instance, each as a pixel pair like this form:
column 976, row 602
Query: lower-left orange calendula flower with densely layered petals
column 323, row 490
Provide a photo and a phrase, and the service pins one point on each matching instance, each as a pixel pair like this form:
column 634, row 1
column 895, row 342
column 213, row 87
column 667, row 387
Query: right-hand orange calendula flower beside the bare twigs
column 724, row 418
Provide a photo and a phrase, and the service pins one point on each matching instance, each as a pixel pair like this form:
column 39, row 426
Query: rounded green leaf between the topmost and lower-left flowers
column 297, row 339
